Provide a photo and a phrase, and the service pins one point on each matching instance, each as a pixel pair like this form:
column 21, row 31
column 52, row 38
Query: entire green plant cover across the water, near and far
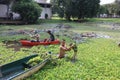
column 97, row 59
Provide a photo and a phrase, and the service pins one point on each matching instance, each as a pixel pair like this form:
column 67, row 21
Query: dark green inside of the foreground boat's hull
column 15, row 67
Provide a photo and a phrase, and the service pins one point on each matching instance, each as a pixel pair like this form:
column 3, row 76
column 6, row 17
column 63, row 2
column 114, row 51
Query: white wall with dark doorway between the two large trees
column 46, row 11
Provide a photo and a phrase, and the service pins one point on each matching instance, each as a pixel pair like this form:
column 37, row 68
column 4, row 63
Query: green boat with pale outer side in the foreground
column 16, row 70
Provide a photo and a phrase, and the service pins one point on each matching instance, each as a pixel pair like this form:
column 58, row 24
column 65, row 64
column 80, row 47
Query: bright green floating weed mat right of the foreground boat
column 97, row 59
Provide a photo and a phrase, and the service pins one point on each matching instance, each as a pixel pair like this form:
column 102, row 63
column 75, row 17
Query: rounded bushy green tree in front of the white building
column 28, row 10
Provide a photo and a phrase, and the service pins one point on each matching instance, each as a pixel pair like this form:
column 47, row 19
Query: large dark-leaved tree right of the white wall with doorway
column 78, row 8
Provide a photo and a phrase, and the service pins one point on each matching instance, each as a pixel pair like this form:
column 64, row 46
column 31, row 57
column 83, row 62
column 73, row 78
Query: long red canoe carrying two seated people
column 35, row 43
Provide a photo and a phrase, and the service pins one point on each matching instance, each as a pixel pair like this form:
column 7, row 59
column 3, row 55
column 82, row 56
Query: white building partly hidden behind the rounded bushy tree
column 6, row 13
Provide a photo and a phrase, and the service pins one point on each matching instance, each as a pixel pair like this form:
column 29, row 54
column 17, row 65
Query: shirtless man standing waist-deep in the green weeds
column 63, row 49
